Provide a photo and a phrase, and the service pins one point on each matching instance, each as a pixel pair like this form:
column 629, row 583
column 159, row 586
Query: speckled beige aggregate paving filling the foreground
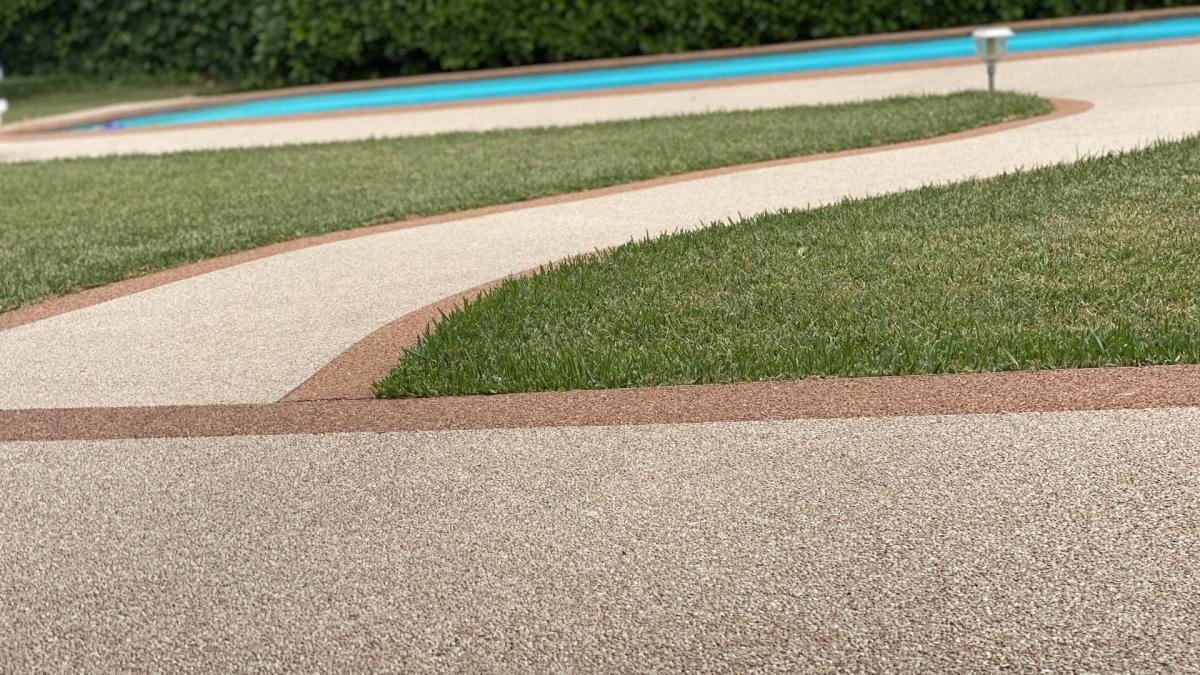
column 1021, row 542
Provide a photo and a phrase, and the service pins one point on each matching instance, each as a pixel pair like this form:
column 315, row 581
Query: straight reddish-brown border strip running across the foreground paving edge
column 1103, row 389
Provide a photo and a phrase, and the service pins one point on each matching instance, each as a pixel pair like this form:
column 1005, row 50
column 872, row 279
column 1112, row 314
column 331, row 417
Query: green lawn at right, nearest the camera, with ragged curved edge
column 1090, row 265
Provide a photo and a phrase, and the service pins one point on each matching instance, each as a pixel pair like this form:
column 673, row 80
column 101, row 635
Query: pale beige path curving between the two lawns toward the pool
column 255, row 332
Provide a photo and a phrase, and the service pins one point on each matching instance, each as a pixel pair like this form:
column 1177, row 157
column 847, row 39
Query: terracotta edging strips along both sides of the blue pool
column 52, row 128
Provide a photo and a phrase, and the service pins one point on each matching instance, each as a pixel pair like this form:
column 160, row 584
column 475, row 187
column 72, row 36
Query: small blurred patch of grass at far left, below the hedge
column 40, row 97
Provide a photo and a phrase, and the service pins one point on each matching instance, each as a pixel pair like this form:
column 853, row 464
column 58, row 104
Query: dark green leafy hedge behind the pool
column 303, row 41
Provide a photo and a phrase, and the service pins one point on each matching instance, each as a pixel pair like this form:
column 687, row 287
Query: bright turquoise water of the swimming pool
column 664, row 74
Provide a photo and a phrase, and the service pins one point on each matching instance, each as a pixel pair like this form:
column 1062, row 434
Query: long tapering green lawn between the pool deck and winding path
column 70, row 225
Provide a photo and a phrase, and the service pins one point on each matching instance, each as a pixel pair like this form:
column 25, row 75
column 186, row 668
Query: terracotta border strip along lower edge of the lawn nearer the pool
column 63, row 304
